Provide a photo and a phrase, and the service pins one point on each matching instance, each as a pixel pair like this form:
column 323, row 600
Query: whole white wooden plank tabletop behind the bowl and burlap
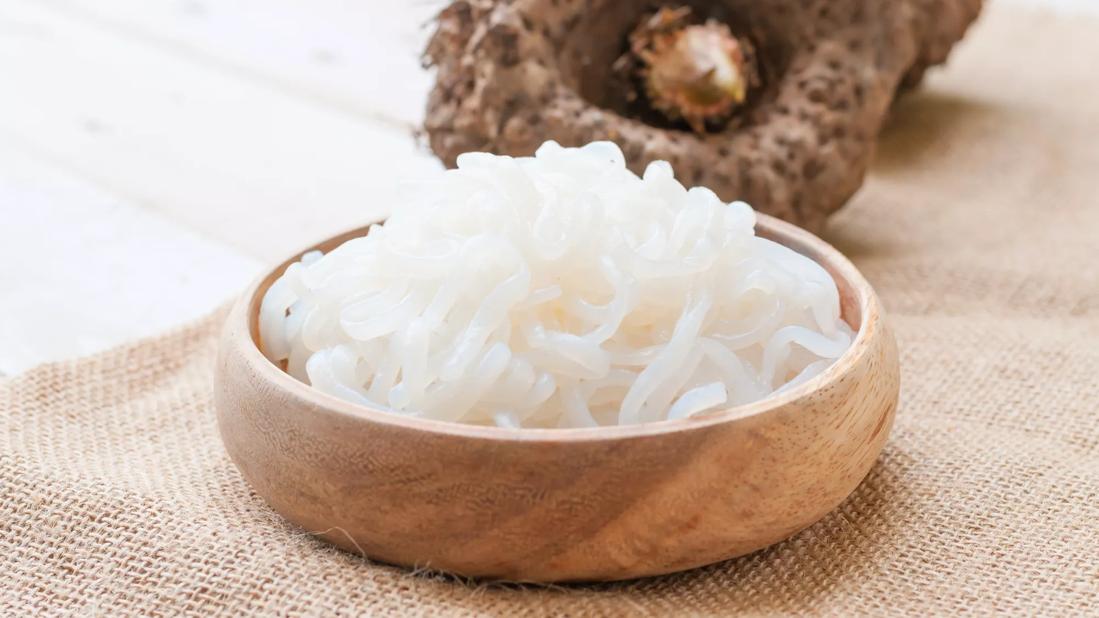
column 156, row 154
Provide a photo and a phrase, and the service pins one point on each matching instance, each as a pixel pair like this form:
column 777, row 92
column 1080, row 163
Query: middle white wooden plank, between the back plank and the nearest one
column 235, row 160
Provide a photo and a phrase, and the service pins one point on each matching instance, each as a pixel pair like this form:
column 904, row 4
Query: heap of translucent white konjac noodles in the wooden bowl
column 557, row 291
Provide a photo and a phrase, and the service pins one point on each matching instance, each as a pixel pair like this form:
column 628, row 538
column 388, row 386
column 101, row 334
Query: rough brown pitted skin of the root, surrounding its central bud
column 513, row 74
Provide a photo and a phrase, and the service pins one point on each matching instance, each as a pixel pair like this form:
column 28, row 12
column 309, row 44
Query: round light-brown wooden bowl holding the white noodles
column 550, row 505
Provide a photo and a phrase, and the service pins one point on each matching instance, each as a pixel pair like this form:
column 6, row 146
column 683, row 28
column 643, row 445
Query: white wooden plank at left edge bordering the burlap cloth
column 82, row 270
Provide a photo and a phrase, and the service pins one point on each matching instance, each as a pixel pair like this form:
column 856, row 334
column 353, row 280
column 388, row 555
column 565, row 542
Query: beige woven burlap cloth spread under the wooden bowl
column 981, row 230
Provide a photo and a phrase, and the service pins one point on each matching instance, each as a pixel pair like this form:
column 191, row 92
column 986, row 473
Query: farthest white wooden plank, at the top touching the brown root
column 362, row 57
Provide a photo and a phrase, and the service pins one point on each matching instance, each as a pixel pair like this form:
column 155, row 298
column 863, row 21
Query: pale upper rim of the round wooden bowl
column 246, row 335
